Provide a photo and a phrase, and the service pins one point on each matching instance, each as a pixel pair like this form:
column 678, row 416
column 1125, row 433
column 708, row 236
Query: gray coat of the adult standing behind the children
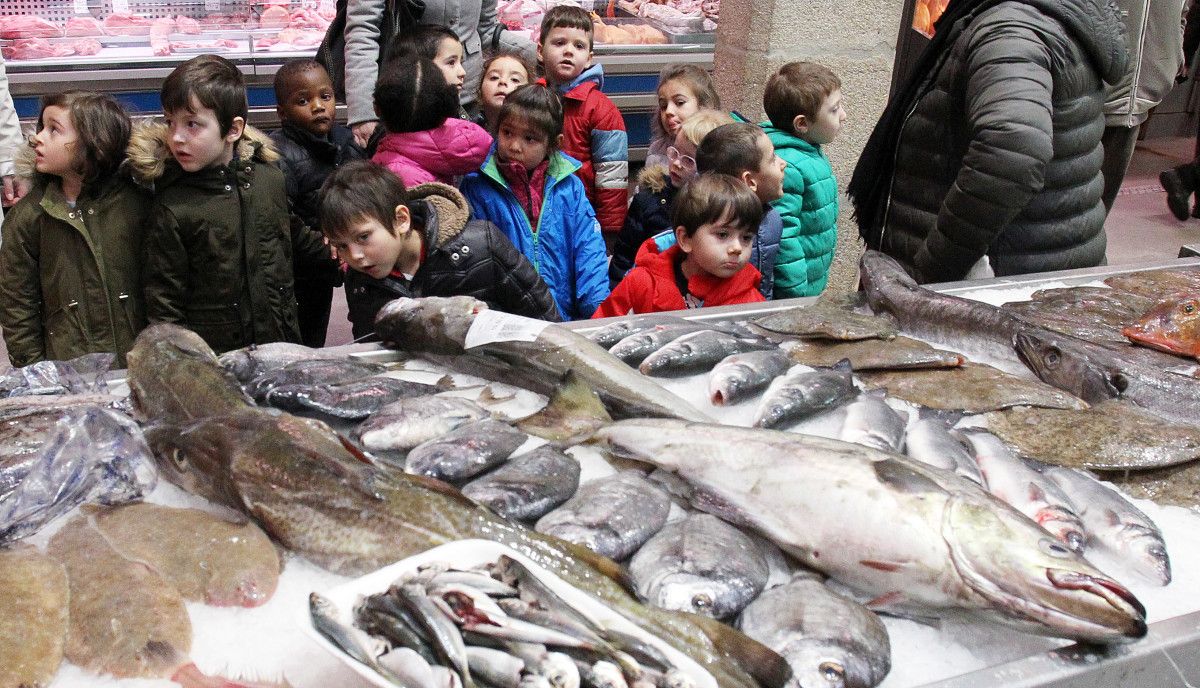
column 473, row 21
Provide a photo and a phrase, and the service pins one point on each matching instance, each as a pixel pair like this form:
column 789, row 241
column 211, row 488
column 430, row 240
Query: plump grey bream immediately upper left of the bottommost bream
column 700, row 565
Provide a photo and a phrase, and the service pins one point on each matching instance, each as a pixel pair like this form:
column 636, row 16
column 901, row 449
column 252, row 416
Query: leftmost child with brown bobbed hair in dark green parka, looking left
column 71, row 258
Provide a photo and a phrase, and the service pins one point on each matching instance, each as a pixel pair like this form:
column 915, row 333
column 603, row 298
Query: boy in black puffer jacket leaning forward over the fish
column 421, row 244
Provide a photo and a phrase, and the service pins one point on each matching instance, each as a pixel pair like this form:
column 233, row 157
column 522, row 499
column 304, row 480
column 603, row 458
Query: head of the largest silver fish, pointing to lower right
column 1033, row 581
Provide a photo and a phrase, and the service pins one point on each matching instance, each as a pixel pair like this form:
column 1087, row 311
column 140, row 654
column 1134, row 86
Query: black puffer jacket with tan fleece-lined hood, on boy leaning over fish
column 464, row 258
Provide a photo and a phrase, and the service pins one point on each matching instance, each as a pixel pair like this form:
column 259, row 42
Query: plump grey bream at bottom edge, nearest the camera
column 826, row 638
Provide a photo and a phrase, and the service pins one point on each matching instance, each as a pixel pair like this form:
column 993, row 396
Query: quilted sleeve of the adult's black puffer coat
column 1010, row 119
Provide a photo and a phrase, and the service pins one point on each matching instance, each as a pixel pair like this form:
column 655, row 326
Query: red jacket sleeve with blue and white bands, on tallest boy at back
column 610, row 160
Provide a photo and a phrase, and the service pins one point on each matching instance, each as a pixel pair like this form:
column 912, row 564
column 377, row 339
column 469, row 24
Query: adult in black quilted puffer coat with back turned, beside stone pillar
column 994, row 146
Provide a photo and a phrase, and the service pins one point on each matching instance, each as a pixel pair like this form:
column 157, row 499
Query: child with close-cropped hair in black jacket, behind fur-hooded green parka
column 311, row 146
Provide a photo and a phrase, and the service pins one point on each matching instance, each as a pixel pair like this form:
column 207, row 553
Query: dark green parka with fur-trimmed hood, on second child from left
column 219, row 255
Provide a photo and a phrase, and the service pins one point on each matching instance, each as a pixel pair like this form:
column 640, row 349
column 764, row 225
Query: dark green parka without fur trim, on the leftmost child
column 71, row 278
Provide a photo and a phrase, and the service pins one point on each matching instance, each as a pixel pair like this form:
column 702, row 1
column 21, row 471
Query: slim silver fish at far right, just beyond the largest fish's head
column 1115, row 525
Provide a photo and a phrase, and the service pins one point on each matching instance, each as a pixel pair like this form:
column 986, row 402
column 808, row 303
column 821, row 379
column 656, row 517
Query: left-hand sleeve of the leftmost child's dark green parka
column 21, row 295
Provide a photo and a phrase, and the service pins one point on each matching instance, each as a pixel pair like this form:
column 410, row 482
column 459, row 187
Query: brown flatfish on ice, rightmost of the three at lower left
column 206, row 558
